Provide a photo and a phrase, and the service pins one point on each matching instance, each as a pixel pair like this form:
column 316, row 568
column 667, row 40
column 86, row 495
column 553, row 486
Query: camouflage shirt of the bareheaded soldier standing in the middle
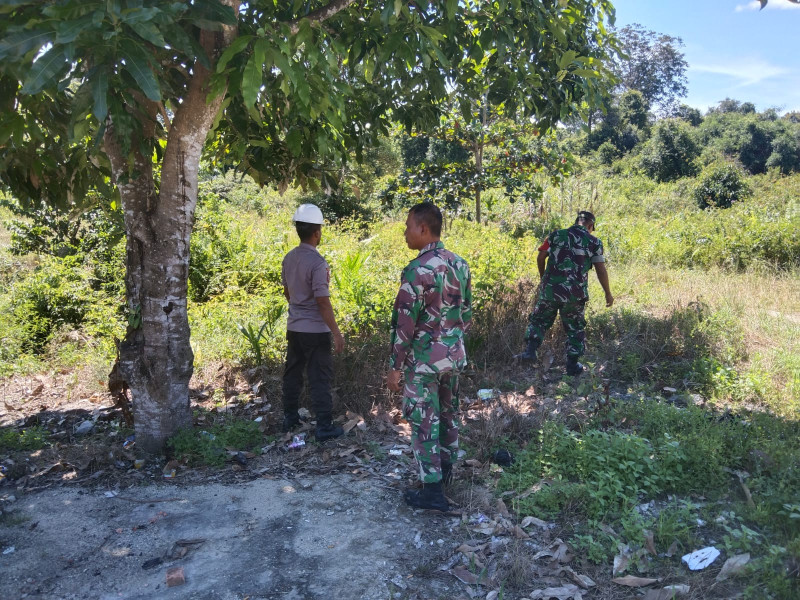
column 432, row 312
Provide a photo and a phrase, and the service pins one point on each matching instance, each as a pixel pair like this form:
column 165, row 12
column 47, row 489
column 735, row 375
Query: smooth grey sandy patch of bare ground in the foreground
column 331, row 537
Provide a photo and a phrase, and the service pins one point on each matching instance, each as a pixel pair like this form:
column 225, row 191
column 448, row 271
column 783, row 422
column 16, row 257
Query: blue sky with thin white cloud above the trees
column 733, row 49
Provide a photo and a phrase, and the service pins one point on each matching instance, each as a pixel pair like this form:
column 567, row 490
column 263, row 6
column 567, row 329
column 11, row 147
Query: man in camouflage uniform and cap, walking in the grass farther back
column 569, row 254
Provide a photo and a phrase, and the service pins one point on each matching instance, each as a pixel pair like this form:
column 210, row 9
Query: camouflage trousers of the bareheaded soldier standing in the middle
column 430, row 403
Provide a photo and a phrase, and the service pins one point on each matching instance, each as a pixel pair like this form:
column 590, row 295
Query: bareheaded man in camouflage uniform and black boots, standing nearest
column 432, row 312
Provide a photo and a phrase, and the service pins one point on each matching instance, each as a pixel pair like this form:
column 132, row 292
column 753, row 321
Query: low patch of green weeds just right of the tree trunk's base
column 210, row 446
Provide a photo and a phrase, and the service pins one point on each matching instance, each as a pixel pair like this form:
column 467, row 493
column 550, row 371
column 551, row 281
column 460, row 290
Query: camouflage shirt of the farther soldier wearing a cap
column 571, row 253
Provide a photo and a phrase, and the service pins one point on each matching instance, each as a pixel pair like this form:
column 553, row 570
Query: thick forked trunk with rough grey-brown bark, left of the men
column 156, row 358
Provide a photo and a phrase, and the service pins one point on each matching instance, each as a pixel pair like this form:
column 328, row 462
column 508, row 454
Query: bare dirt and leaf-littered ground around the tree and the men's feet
column 88, row 516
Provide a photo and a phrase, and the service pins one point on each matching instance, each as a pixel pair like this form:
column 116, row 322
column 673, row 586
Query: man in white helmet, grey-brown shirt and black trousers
column 311, row 329
